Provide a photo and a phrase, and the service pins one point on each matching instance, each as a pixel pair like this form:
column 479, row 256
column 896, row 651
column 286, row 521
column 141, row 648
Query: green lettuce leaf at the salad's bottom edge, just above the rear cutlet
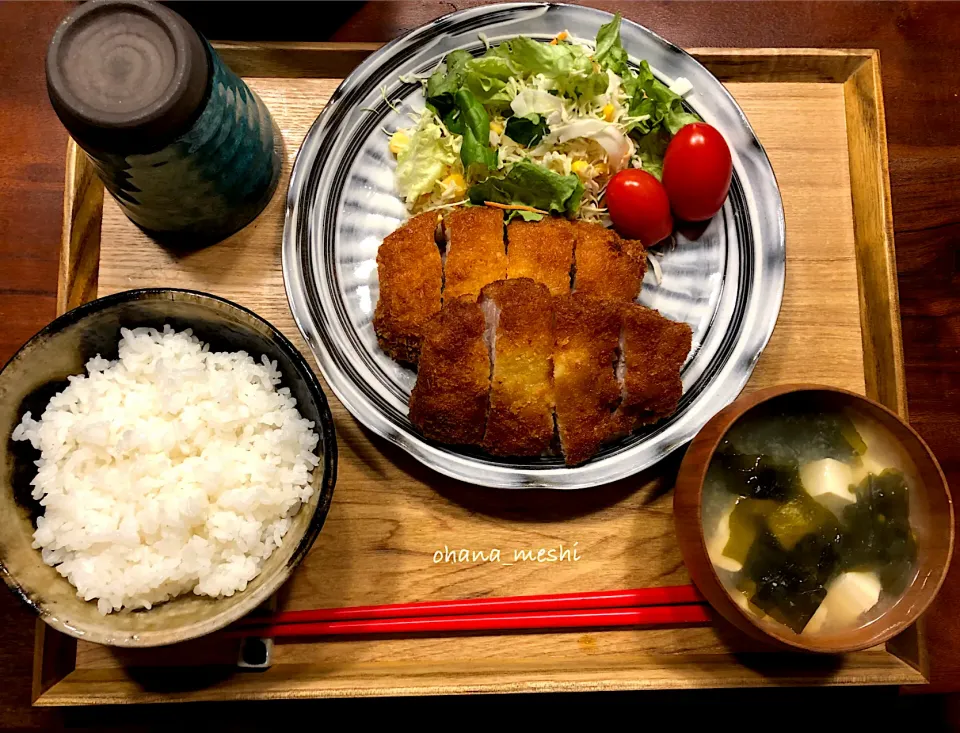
column 531, row 185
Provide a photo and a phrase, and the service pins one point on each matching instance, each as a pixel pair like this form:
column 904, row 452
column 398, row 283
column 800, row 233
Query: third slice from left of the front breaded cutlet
column 586, row 338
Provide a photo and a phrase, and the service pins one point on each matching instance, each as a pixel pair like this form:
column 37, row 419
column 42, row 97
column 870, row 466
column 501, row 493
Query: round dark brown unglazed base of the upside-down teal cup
column 126, row 76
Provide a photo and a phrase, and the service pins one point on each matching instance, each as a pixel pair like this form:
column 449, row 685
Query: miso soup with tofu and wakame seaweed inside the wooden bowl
column 806, row 515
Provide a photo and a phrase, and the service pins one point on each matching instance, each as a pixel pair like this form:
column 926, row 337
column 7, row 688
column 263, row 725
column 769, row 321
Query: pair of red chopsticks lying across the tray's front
column 640, row 607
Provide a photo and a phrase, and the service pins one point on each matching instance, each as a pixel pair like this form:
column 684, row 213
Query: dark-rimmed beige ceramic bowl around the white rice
column 327, row 447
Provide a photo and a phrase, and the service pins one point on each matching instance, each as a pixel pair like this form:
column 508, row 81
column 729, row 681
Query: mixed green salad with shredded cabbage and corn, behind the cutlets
column 538, row 128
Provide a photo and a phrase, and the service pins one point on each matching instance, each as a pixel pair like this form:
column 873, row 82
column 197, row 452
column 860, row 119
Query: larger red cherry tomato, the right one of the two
column 696, row 172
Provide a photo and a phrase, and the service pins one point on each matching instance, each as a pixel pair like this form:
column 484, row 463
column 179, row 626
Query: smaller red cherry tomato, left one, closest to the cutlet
column 639, row 206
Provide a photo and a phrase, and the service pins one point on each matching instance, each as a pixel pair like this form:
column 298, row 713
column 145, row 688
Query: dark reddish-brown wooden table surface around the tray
column 920, row 61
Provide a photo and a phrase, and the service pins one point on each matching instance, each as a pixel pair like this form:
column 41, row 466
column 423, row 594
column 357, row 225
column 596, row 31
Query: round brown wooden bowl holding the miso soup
column 931, row 517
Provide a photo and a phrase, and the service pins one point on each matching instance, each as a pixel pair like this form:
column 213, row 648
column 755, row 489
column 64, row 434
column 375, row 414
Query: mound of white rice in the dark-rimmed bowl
column 173, row 469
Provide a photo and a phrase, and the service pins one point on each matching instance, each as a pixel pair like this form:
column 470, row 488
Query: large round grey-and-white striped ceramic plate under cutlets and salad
column 341, row 204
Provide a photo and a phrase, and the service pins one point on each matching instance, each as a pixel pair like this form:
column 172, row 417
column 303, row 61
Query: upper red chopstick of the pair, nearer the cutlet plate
column 663, row 596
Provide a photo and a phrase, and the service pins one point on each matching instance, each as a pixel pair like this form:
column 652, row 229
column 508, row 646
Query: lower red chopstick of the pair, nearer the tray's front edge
column 678, row 615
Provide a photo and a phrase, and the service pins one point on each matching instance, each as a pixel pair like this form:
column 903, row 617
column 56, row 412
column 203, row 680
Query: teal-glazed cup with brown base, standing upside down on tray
column 189, row 152
